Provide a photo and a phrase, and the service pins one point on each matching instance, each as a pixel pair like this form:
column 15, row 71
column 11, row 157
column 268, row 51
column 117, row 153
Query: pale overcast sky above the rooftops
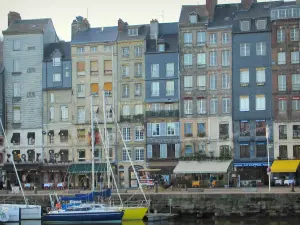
column 99, row 12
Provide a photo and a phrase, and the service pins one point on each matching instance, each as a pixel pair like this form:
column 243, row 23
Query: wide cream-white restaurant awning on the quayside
column 202, row 166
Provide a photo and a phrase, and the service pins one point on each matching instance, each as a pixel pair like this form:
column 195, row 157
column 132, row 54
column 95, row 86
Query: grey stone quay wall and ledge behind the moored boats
column 223, row 202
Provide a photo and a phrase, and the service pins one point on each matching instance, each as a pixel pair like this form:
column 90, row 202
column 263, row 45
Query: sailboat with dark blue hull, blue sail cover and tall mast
column 86, row 212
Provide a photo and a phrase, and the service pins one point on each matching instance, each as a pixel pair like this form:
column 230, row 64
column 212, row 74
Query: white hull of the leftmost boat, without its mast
column 17, row 212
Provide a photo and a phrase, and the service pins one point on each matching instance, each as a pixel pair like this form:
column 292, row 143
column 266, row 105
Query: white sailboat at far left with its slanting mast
column 17, row 212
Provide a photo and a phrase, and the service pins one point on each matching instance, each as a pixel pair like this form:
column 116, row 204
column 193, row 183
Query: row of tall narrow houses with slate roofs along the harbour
column 219, row 87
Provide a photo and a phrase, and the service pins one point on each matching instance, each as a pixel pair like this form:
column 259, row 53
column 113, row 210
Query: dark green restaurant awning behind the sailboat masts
column 82, row 168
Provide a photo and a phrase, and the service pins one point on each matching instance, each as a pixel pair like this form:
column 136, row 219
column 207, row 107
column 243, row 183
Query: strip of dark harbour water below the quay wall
column 193, row 221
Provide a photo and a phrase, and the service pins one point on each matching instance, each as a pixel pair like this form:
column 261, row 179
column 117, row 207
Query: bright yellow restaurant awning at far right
column 285, row 166
